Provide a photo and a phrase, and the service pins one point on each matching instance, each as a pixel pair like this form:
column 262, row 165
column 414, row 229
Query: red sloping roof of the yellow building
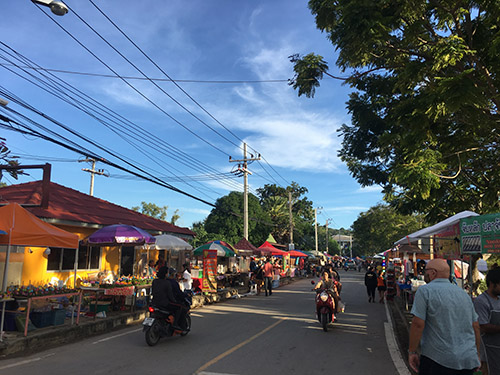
column 71, row 205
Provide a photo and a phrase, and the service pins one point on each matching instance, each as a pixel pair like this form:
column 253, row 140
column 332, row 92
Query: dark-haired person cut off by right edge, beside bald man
column 487, row 306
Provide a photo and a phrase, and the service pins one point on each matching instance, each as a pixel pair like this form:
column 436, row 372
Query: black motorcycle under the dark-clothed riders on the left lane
column 160, row 323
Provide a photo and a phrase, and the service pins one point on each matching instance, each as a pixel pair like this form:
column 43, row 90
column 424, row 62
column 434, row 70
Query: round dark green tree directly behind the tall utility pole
column 226, row 219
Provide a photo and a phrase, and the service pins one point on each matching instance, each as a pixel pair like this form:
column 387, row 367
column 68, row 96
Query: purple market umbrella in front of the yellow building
column 120, row 234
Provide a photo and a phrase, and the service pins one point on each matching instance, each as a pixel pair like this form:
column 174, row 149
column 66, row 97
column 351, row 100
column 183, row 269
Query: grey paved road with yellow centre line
column 254, row 335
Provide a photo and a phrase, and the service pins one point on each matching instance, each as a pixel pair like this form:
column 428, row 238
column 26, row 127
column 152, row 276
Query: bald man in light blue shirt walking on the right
column 445, row 324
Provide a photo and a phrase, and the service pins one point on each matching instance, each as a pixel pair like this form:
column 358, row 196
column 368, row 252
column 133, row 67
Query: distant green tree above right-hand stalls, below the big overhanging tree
column 378, row 228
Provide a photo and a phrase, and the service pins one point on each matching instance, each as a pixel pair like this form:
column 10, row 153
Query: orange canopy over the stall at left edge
column 27, row 230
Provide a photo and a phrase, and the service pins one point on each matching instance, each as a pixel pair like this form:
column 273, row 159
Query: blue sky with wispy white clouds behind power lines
column 223, row 45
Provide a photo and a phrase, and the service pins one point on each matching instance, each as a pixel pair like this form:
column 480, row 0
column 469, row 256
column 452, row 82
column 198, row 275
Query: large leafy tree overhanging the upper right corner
column 425, row 122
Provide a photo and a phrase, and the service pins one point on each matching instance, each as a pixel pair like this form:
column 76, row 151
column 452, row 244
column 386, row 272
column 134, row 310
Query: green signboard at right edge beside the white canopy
column 480, row 234
